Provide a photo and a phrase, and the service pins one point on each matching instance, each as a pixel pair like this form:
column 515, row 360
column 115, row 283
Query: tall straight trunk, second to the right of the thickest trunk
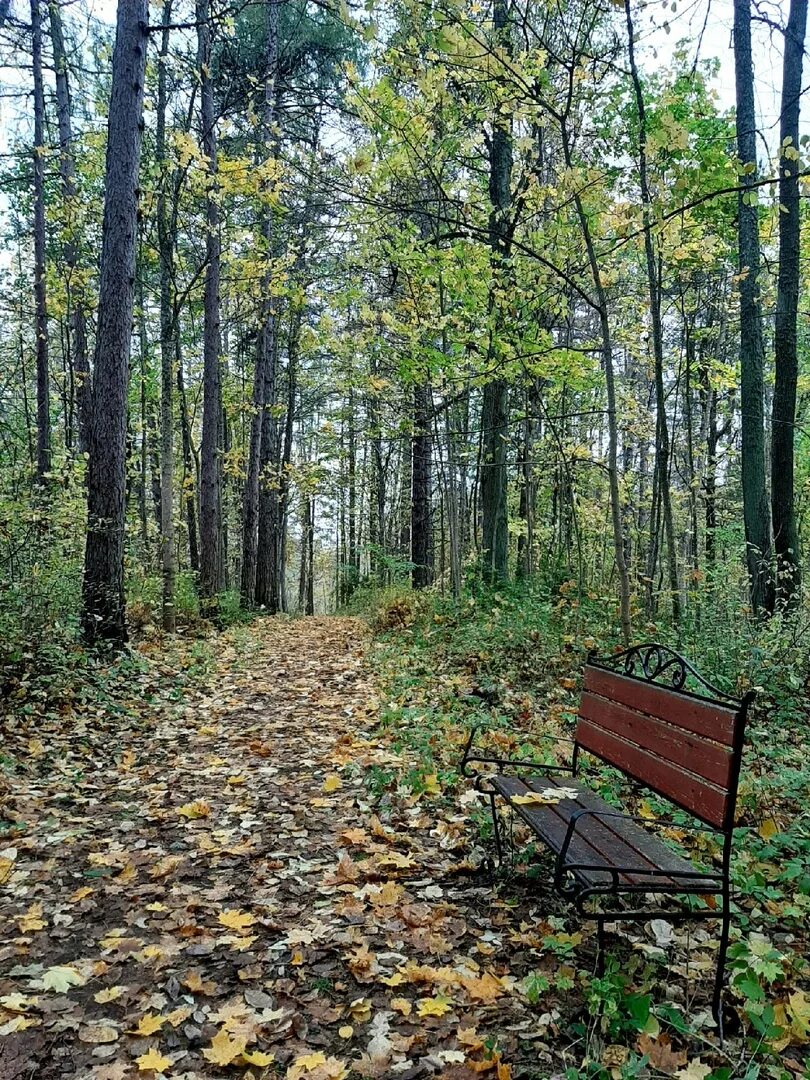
column 211, row 565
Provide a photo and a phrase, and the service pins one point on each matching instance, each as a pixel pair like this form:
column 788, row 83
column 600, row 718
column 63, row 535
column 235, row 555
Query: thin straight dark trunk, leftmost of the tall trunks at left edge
column 44, row 395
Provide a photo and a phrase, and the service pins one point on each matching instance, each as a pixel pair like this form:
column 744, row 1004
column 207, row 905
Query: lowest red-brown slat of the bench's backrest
column 684, row 789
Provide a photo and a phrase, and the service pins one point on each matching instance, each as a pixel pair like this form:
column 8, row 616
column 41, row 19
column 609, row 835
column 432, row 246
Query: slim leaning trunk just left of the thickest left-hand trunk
column 79, row 363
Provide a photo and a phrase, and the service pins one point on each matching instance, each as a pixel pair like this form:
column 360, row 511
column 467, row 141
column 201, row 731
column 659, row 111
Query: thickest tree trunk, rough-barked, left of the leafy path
column 104, row 606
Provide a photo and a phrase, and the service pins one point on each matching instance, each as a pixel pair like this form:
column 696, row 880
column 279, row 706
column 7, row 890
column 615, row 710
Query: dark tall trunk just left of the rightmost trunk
column 752, row 350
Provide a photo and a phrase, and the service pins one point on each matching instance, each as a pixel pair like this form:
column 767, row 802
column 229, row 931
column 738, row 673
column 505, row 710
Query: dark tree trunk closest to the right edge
column 784, row 415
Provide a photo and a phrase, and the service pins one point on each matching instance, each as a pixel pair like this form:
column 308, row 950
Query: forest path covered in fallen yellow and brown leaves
column 255, row 880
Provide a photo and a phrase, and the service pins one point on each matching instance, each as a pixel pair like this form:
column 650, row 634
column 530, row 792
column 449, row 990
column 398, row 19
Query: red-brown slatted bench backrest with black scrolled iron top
column 680, row 745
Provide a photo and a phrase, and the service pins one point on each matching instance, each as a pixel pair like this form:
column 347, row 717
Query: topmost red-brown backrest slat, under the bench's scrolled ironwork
column 707, row 719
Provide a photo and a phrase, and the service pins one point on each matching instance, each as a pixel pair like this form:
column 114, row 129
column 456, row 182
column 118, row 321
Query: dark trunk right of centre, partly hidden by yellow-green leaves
column 495, row 406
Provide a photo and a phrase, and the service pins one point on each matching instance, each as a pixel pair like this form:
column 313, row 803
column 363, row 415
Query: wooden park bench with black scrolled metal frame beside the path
column 639, row 714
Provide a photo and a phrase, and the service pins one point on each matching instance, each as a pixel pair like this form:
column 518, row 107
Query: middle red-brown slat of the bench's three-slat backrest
column 708, row 760
